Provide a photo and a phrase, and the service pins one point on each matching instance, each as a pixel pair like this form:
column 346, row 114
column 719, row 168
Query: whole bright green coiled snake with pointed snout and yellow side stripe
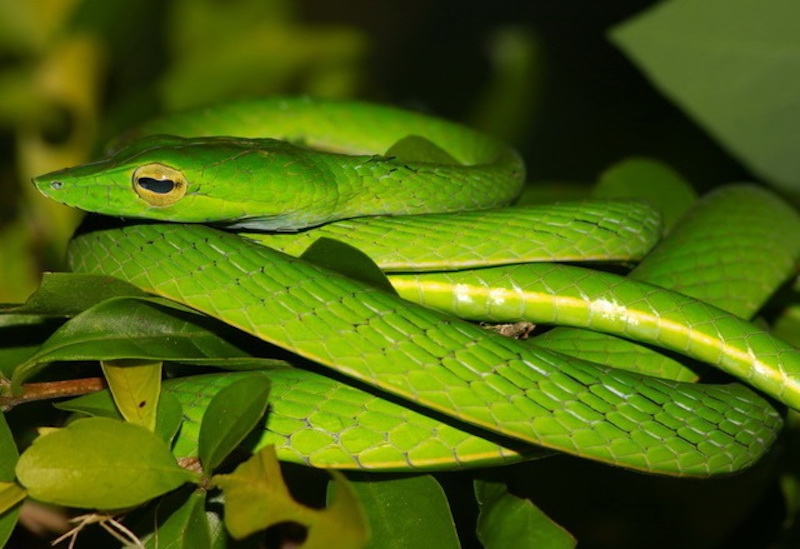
column 427, row 200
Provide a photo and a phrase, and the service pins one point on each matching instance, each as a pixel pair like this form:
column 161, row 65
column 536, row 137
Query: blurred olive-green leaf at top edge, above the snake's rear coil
column 256, row 49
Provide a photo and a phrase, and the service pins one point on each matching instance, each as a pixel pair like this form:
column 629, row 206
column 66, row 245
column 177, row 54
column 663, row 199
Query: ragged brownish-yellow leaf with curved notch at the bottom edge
column 256, row 498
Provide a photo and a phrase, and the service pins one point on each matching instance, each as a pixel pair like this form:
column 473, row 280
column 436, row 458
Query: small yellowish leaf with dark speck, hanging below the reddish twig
column 135, row 386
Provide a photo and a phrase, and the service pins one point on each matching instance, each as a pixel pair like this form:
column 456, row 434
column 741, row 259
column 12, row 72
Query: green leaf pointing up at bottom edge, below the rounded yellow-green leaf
column 181, row 521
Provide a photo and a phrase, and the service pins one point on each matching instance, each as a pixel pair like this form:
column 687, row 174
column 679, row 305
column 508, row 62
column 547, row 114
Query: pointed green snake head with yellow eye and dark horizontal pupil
column 256, row 183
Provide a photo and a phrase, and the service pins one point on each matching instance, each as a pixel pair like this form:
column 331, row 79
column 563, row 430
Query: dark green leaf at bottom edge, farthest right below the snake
column 508, row 521
